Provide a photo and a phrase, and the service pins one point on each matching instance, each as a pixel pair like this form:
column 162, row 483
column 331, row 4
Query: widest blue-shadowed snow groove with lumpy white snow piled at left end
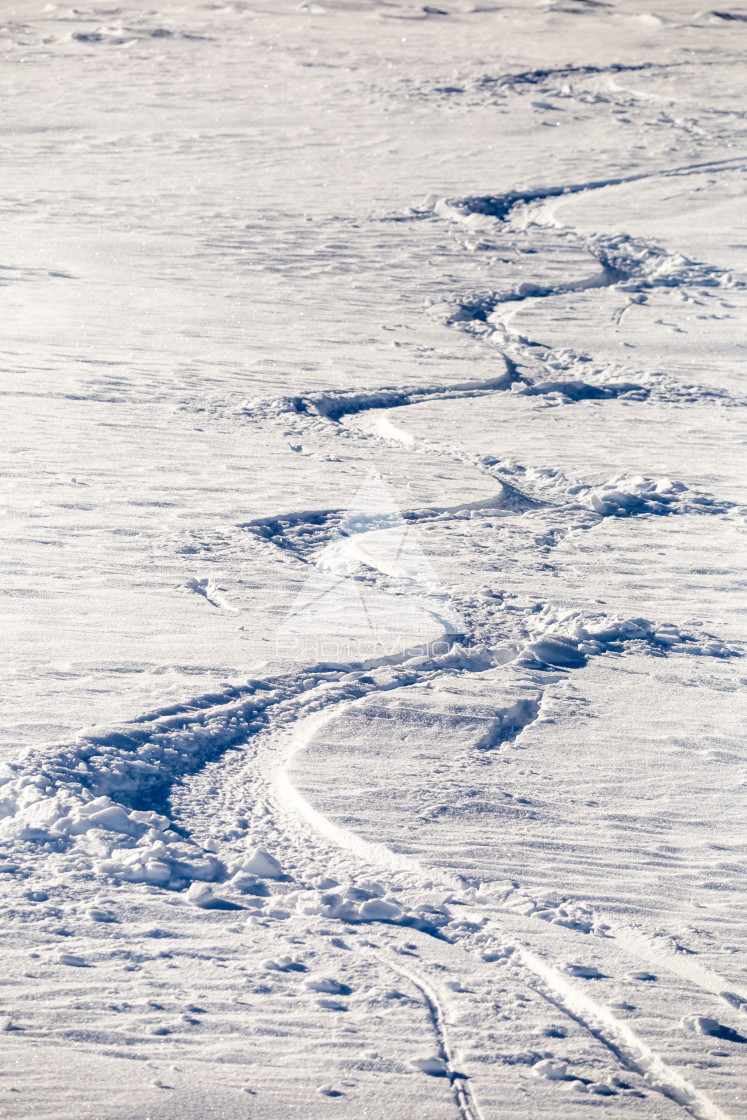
column 117, row 785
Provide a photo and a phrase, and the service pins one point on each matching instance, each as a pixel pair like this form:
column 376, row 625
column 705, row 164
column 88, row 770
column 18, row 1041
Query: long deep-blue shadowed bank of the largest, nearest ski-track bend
column 139, row 762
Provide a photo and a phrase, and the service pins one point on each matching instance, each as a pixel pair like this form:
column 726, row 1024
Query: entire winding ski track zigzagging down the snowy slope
column 129, row 763
